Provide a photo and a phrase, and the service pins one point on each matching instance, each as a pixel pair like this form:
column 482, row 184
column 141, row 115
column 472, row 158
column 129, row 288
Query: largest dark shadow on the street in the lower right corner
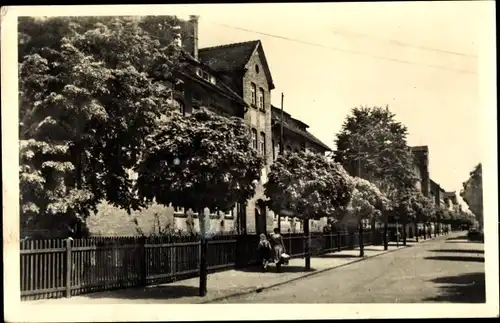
column 466, row 288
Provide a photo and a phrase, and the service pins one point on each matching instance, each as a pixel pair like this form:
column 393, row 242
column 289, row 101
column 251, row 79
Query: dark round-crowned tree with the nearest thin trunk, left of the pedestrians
column 203, row 160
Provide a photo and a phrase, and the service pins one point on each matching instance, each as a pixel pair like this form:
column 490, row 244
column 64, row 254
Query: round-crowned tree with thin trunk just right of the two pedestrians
column 309, row 186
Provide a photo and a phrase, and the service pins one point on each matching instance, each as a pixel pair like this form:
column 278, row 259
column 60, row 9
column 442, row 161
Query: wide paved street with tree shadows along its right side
column 449, row 269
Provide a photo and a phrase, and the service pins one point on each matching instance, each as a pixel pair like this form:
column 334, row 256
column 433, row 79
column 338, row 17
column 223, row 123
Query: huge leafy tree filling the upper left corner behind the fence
column 88, row 98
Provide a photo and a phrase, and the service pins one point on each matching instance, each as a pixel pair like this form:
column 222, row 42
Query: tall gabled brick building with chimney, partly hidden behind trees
column 235, row 80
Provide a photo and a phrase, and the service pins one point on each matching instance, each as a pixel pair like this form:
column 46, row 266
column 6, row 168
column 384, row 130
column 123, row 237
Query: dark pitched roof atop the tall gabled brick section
column 234, row 57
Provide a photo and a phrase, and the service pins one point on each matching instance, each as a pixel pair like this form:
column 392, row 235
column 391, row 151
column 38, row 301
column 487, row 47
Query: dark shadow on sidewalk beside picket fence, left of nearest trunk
column 152, row 292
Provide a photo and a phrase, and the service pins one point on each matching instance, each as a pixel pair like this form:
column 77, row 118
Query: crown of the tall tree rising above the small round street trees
column 372, row 144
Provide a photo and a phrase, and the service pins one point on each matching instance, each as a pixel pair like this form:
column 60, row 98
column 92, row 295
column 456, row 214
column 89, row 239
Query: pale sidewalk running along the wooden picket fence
column 226, row 283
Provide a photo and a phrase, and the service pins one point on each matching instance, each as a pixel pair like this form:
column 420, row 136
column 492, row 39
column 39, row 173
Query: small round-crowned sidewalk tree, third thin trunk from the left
column 366, row 202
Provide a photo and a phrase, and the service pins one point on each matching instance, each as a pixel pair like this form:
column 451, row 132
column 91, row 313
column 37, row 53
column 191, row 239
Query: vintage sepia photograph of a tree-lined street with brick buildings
column 252, row 156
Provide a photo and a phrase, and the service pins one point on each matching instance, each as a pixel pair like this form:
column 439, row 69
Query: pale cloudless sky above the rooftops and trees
column 337, row 56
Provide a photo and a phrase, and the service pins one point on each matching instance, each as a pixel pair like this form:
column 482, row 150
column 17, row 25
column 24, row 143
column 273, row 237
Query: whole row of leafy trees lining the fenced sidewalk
column 93, row 106
